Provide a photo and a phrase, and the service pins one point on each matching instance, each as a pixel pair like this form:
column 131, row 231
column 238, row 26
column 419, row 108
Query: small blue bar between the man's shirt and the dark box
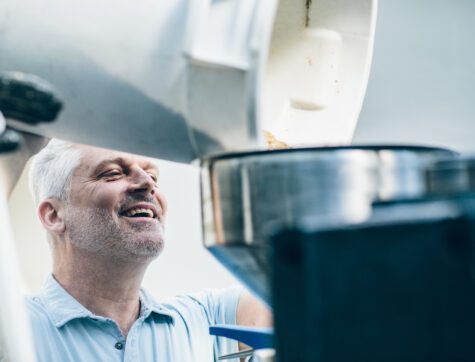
column 252, row 336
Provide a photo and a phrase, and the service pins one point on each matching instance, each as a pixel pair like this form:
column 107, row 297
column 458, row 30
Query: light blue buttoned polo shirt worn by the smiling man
column 174, row 331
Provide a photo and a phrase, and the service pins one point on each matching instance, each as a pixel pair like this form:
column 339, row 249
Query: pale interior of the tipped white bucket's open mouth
column 317, row 70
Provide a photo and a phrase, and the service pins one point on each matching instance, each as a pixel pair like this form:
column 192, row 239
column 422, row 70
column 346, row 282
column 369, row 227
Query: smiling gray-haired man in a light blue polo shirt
column 104, row 214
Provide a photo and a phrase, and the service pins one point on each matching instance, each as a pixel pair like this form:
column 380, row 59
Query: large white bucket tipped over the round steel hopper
column 181, row 80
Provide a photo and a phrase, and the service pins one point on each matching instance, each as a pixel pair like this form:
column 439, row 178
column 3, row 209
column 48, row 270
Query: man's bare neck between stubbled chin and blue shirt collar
column 108, row 288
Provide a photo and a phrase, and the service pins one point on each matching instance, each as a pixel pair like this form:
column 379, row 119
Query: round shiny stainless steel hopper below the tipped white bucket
column 246, row 196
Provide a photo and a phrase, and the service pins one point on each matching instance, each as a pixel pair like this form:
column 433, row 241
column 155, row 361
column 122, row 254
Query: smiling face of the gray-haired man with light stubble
column 115, row 207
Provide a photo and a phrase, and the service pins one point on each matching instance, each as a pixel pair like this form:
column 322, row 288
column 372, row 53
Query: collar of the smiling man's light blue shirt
column 62, row 307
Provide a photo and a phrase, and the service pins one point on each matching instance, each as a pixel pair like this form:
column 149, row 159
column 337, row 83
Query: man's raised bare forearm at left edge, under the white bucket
column 12, row 163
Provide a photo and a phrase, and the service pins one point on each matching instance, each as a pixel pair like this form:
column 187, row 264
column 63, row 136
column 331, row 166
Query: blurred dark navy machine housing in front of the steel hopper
column 397, row 286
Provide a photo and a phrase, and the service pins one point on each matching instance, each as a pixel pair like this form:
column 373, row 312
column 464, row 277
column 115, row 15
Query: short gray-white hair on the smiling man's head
column 51, row 170
